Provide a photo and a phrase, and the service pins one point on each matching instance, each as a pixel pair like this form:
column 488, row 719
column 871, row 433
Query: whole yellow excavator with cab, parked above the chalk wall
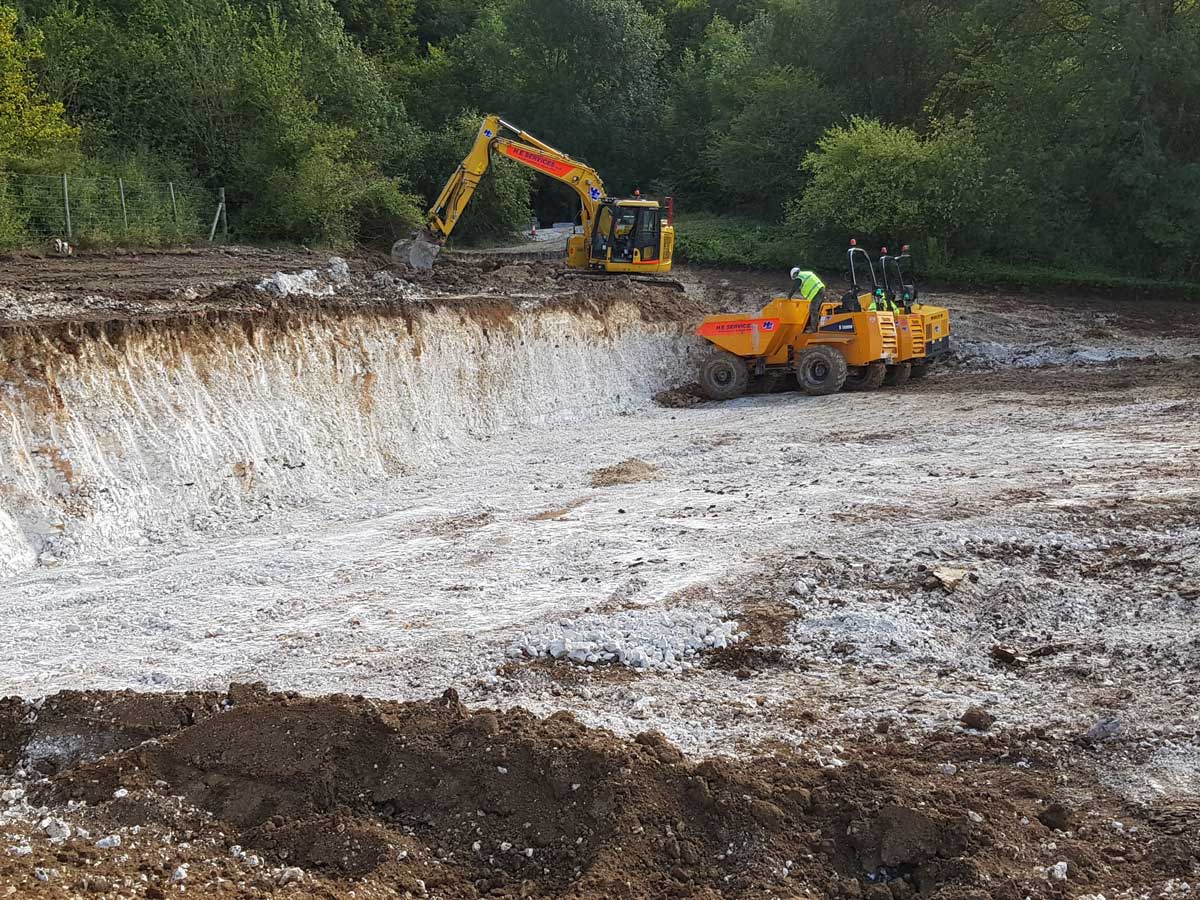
column 619, row 236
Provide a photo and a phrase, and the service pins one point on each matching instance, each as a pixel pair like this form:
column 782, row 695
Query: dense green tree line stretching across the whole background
column 1027, row 131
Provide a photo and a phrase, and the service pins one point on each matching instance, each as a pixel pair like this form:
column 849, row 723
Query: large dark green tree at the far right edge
column 1096, row 105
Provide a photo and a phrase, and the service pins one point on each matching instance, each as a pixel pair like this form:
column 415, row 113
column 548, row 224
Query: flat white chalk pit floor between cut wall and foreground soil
column 1070, row 494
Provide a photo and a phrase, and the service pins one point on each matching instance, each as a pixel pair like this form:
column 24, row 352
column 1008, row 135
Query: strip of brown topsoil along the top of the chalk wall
column 110, row 290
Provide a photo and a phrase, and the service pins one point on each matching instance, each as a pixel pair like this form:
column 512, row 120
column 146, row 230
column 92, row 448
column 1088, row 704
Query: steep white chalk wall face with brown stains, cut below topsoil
column 112, row 434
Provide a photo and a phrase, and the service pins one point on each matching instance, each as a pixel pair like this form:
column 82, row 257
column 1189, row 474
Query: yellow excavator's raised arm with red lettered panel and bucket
column 524, row 148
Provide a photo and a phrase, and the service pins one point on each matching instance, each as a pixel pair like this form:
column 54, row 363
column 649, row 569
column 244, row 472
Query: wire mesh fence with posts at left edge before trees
column 99, row 209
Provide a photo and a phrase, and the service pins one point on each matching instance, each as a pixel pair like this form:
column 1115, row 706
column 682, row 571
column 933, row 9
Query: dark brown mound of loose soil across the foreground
column 376, row 799
